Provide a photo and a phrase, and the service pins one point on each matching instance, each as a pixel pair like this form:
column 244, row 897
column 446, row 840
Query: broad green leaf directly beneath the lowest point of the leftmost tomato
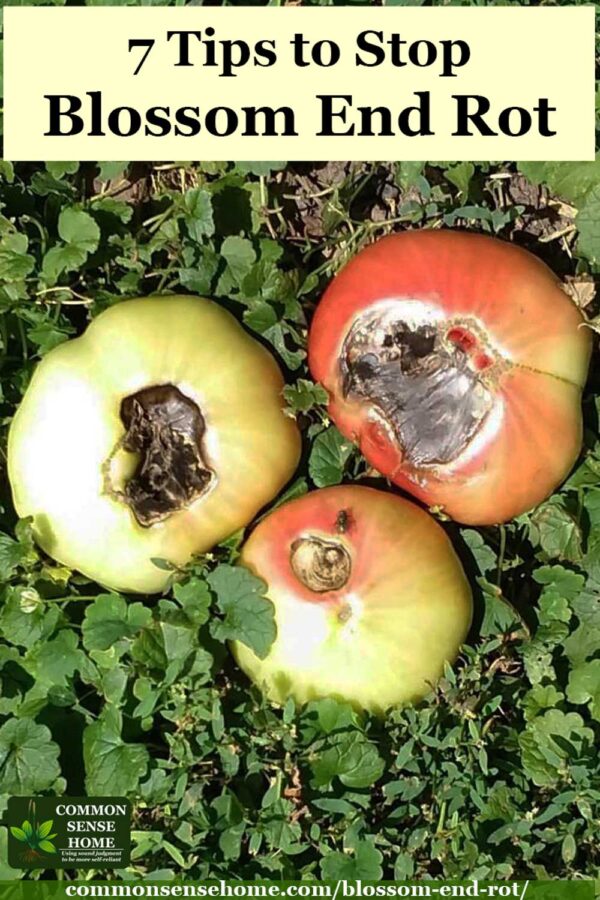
column 109, row 619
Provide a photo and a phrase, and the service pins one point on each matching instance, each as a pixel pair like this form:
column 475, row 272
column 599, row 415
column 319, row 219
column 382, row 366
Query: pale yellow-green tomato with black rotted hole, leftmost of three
column 154, row 435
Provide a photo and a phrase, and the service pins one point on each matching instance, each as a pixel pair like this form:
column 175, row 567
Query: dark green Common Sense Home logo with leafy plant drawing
column 68, row 832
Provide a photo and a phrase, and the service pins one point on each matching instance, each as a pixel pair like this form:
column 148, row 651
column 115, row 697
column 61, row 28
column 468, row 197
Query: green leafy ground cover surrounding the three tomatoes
column 496, row 774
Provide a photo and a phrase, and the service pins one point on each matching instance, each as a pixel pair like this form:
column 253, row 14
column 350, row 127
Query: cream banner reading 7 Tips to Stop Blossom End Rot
column 298, row 83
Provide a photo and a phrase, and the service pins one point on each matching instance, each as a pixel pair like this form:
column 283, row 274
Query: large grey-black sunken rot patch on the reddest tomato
column 425, row 379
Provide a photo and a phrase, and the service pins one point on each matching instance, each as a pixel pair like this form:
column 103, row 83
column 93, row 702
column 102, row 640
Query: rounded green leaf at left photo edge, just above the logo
column 28, row 757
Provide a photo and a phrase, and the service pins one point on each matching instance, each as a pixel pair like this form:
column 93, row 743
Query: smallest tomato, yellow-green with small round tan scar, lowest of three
column 370, row 599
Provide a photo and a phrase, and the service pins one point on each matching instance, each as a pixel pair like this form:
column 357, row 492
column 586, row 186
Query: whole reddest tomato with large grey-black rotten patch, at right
column 456, row 362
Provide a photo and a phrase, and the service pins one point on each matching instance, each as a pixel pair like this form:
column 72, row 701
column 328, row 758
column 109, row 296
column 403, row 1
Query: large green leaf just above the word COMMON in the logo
column 112, row 767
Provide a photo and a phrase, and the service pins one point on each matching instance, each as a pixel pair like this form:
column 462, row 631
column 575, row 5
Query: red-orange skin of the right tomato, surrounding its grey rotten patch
column 535, row 336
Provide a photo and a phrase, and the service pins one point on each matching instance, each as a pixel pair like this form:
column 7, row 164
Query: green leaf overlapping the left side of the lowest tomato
column 249, row 615
